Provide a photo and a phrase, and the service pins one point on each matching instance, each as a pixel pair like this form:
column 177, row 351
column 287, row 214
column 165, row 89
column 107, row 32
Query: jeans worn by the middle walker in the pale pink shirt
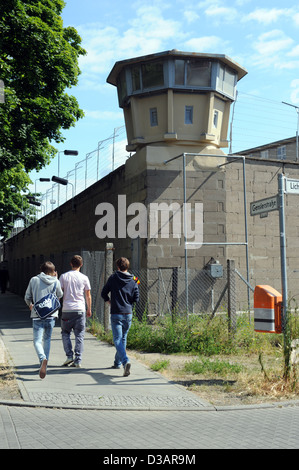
column 73, row 321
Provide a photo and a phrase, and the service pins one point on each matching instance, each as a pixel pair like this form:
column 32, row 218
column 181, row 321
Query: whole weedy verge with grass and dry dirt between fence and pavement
column 200, row 354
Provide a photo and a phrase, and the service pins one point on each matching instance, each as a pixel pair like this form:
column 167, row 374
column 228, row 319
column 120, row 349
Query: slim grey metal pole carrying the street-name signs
column 281, row 184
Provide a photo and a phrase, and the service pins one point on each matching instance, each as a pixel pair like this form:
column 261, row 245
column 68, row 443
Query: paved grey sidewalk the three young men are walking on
column 95, row 385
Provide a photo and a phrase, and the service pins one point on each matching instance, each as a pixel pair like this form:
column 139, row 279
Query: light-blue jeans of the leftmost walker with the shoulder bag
column 42, row 332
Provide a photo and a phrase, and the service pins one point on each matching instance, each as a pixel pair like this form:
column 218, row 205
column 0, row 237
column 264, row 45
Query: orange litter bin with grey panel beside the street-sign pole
column 267, row 310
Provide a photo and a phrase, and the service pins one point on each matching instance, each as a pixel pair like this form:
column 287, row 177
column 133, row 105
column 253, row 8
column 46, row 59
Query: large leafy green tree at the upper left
column 38, row 62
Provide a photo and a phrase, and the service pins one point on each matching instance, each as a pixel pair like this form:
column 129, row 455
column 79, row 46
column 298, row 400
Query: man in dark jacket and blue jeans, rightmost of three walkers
column 124, row 292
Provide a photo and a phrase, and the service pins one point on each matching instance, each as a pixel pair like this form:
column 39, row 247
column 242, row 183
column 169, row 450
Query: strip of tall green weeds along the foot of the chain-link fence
column 195, row 334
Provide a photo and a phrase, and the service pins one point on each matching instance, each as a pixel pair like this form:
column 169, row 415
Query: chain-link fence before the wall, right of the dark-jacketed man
column 164, row 291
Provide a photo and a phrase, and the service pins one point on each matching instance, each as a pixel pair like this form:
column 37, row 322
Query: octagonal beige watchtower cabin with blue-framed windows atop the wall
column 177, row 98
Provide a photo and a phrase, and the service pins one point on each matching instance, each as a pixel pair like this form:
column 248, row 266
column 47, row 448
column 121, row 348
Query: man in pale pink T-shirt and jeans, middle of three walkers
column 76, row 305
